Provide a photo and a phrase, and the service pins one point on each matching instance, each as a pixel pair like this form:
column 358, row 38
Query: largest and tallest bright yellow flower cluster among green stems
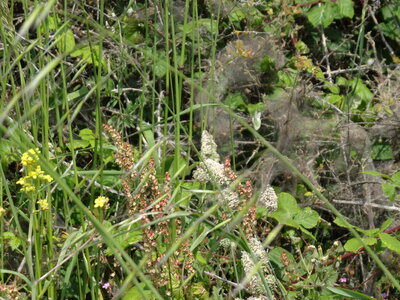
column 35, row 175
